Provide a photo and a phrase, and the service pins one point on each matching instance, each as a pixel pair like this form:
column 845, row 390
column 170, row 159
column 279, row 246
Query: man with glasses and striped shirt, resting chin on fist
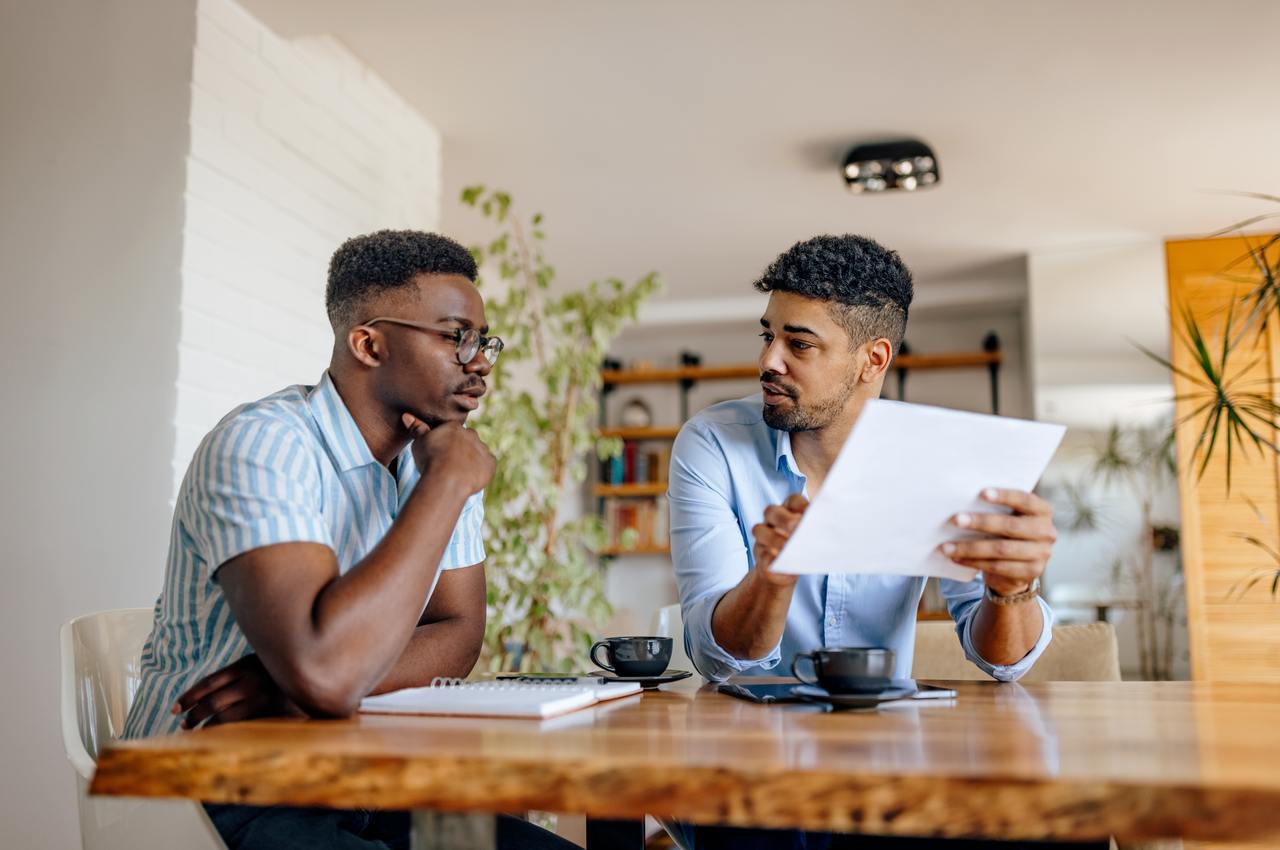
column 327, row 540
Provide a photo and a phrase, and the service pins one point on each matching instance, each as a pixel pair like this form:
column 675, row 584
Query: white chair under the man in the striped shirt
column 102, row 668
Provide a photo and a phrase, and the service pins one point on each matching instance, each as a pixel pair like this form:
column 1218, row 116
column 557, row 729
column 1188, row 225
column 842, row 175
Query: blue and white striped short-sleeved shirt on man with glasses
column 289, row 468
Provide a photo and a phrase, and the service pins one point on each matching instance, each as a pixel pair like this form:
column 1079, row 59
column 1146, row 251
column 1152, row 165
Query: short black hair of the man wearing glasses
column 372, row 264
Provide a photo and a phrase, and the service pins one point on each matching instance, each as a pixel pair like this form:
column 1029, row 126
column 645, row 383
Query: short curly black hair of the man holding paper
column 868, row 285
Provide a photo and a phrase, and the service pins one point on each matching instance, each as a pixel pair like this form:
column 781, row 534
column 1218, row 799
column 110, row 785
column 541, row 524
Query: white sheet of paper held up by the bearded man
column 904, row 472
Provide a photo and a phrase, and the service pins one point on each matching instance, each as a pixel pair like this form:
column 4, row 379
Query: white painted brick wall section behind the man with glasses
column 295, row 147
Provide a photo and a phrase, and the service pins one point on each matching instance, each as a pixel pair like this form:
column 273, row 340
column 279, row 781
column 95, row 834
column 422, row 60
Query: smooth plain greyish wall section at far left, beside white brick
column 94, row 103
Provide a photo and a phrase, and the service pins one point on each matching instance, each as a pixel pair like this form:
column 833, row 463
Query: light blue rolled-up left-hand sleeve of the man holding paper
column 710, row 549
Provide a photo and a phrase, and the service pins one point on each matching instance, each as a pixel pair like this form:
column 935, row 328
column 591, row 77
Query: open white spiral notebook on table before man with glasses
column 496, row 700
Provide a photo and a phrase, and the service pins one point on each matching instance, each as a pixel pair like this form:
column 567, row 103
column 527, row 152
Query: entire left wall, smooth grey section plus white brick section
column 173, row 182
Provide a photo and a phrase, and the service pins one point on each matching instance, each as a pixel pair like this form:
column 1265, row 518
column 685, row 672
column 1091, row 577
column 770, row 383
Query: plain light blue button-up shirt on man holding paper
column 726, row 468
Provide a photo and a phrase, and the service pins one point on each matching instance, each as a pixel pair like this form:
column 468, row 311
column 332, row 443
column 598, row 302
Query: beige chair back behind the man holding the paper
column 1080, row 654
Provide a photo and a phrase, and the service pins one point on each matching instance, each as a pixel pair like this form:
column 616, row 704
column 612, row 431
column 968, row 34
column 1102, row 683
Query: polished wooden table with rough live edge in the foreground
column 1075, row 761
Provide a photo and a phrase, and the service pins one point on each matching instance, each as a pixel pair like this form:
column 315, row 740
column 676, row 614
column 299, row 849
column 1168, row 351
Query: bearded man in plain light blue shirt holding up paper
column 744, row 472
